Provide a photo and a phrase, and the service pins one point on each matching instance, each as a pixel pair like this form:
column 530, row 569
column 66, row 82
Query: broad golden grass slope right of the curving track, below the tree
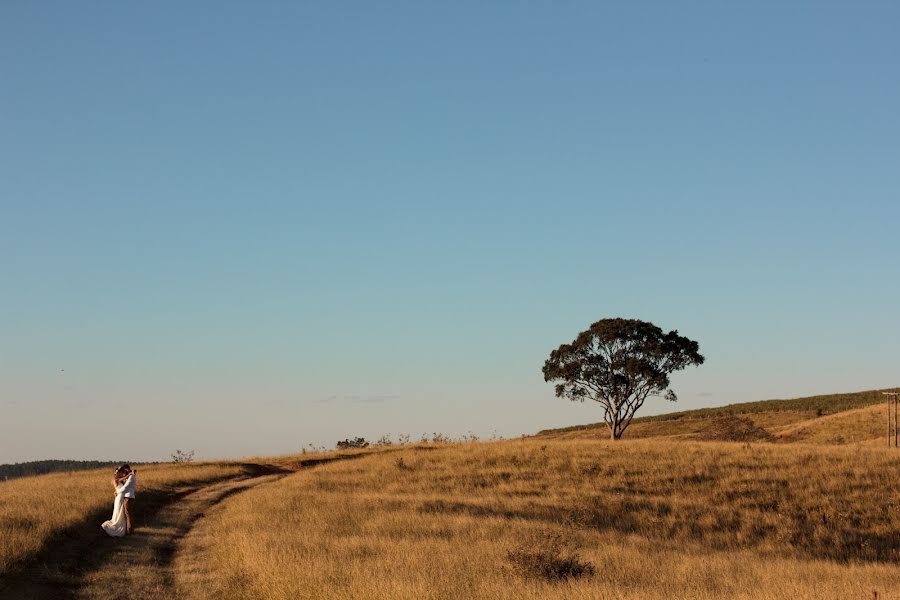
column 656, row 519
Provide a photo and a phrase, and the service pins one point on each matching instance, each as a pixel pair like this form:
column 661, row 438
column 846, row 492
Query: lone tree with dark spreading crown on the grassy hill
column 619, row 363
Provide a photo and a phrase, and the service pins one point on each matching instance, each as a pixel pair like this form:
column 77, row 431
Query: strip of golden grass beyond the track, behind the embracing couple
column 35, row 509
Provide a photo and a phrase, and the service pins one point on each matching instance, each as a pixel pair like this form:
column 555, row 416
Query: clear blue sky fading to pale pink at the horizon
column 244, row 227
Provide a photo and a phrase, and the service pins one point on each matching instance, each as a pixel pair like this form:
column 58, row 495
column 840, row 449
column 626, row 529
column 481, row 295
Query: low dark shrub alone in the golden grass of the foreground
column 550, row 557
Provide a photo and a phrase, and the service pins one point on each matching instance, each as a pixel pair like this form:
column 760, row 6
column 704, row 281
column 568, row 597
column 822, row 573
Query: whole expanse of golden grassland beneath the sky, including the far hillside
column 756, row 501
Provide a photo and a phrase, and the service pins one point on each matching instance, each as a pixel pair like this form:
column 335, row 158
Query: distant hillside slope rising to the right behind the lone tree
column 832, row 419
